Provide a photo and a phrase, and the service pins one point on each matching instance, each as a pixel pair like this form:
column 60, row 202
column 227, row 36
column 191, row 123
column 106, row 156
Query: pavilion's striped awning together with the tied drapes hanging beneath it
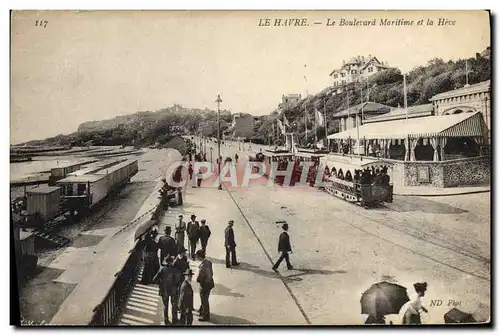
column 435, row 131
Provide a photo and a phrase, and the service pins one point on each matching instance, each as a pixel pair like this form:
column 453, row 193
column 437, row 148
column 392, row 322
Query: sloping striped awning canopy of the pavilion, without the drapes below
column 456, row 125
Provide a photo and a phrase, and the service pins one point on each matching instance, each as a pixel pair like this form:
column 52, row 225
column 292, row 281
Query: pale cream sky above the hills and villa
column 95, row 65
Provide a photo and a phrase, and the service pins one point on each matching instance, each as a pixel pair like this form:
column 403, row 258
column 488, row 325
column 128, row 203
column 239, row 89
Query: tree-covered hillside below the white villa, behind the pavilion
column 385, row 87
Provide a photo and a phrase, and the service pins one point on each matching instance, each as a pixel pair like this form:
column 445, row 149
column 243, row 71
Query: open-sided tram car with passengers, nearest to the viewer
column 365, row 182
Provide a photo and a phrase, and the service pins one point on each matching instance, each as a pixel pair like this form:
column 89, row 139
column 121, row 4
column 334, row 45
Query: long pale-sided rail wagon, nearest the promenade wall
column 87, row 190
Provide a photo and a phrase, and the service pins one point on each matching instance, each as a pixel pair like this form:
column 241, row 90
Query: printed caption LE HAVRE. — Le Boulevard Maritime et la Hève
column 343, row 22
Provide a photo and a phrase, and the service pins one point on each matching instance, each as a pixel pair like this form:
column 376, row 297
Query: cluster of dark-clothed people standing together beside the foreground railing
column 175, row 275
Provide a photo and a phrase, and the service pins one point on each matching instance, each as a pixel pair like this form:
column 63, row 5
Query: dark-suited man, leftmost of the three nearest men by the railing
column 166, row 279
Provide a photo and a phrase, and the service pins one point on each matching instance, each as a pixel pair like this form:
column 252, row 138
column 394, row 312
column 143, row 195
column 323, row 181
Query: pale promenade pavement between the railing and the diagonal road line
column 249, row 294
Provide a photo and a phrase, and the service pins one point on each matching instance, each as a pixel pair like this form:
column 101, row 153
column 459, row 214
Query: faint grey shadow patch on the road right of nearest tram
column 420, row 204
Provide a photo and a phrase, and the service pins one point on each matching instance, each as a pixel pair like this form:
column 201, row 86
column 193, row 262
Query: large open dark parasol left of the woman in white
column 383, row 298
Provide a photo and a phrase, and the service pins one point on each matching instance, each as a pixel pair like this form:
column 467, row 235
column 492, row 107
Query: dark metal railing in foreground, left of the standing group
column 107, row 312
